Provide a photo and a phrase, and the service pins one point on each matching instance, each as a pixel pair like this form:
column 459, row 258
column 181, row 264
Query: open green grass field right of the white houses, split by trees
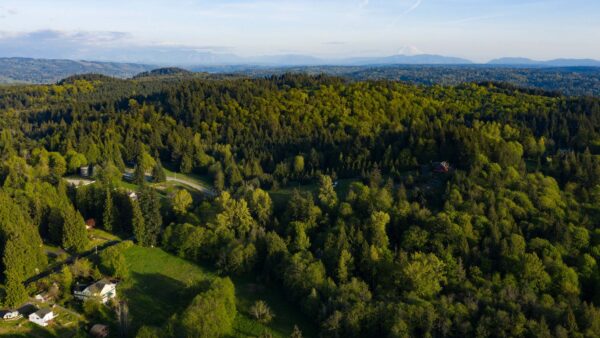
column 163, row 284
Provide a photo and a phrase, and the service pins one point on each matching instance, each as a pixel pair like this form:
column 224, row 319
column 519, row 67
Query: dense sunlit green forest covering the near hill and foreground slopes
column 468, row 210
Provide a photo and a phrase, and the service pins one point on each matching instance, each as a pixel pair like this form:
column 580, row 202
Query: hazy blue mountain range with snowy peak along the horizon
column 28, row 70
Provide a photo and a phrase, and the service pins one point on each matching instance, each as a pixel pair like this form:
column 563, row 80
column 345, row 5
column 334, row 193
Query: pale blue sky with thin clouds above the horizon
column 475, row 29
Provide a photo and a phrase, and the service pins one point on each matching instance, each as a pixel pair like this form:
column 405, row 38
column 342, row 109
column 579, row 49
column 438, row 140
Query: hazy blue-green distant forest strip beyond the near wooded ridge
column 566, row 80
